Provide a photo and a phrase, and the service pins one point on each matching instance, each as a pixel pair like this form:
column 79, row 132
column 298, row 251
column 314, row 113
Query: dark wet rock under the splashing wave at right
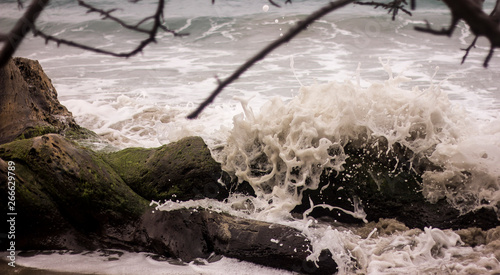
column 388, row 184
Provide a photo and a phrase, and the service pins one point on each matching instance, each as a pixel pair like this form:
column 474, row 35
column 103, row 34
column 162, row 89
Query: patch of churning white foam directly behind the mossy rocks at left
column 129, row 122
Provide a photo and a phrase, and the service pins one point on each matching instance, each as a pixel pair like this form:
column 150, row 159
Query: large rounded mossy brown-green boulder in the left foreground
column 65, row 191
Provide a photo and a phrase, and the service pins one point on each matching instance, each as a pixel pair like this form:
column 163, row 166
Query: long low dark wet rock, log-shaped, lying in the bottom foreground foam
column 196, row 233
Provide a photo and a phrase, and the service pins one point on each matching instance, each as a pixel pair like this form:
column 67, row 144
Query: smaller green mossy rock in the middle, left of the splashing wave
column 181, row 170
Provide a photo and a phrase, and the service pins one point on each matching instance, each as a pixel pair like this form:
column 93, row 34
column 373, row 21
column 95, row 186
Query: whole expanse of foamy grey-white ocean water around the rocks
column 353, row 73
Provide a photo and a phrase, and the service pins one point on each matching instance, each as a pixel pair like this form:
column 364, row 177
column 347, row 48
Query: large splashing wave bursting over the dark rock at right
column 285, row 148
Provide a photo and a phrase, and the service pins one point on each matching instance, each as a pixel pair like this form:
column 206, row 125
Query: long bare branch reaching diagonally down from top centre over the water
column 269, row 48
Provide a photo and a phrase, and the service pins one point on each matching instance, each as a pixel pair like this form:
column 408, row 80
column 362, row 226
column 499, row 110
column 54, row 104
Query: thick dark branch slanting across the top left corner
column 22, row 27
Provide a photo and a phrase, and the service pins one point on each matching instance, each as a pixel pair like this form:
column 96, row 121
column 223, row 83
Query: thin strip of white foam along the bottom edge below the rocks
column 128, row 263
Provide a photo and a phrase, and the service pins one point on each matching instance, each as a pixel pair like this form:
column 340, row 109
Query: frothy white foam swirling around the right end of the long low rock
column 403, row 252
